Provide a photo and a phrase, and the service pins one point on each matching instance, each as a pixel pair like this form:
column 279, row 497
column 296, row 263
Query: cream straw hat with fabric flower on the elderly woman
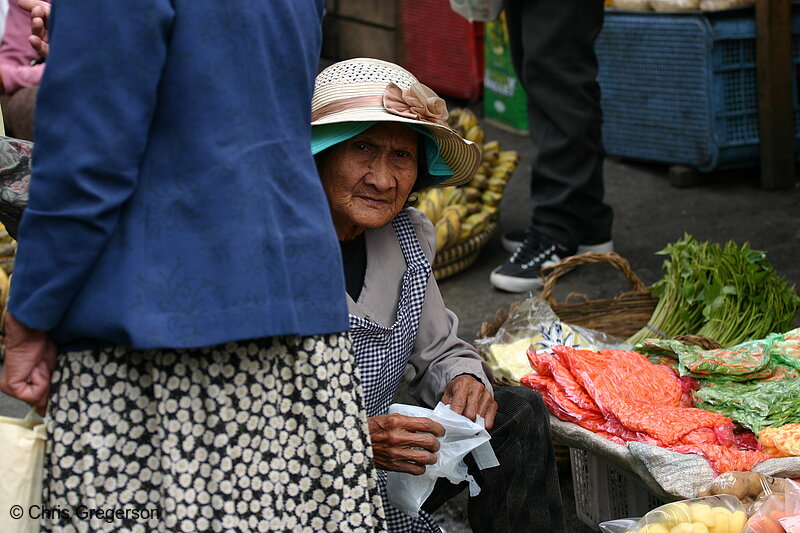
column 371, row 90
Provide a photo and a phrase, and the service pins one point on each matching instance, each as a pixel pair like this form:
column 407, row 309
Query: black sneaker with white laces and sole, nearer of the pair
column 522, row 271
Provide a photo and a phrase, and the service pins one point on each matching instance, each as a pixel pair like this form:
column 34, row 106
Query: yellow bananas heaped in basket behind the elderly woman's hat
column 460, row 213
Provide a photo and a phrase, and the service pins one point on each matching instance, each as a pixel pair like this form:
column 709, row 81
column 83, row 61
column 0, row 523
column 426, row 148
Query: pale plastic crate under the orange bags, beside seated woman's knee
column 606, row 492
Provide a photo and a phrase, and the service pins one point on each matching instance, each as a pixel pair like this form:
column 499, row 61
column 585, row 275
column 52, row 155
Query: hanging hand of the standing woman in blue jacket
column 29, row 361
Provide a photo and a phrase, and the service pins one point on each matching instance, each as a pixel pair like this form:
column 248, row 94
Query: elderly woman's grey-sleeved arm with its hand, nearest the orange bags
column 446, row 367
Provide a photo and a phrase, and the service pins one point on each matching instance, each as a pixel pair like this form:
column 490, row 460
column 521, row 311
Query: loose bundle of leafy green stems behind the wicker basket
column 730, row 294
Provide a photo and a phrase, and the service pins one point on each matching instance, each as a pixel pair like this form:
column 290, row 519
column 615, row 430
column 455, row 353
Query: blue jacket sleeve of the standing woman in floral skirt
column 94, row 109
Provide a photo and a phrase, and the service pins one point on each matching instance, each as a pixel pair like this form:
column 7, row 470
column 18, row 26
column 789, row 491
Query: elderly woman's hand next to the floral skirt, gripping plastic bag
column 404, row 443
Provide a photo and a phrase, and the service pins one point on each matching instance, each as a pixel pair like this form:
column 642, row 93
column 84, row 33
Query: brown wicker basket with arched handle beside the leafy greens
column 621, row 316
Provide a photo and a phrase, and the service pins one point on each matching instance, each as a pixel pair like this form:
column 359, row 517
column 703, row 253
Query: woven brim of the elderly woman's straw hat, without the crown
column 462, row 156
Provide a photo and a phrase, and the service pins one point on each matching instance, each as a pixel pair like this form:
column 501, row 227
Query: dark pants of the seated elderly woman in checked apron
column 522, row 494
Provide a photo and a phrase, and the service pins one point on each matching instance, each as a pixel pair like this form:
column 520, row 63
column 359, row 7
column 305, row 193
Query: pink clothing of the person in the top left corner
column 16, row 53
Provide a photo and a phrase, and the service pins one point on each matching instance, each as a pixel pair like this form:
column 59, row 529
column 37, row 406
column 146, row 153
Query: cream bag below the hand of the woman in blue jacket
column 22, row 441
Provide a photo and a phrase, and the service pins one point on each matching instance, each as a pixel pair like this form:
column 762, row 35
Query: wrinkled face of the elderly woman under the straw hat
column 368, row 178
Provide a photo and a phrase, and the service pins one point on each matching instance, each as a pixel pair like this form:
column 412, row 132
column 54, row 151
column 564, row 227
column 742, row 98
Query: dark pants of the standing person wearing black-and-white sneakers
column 552, row 46
